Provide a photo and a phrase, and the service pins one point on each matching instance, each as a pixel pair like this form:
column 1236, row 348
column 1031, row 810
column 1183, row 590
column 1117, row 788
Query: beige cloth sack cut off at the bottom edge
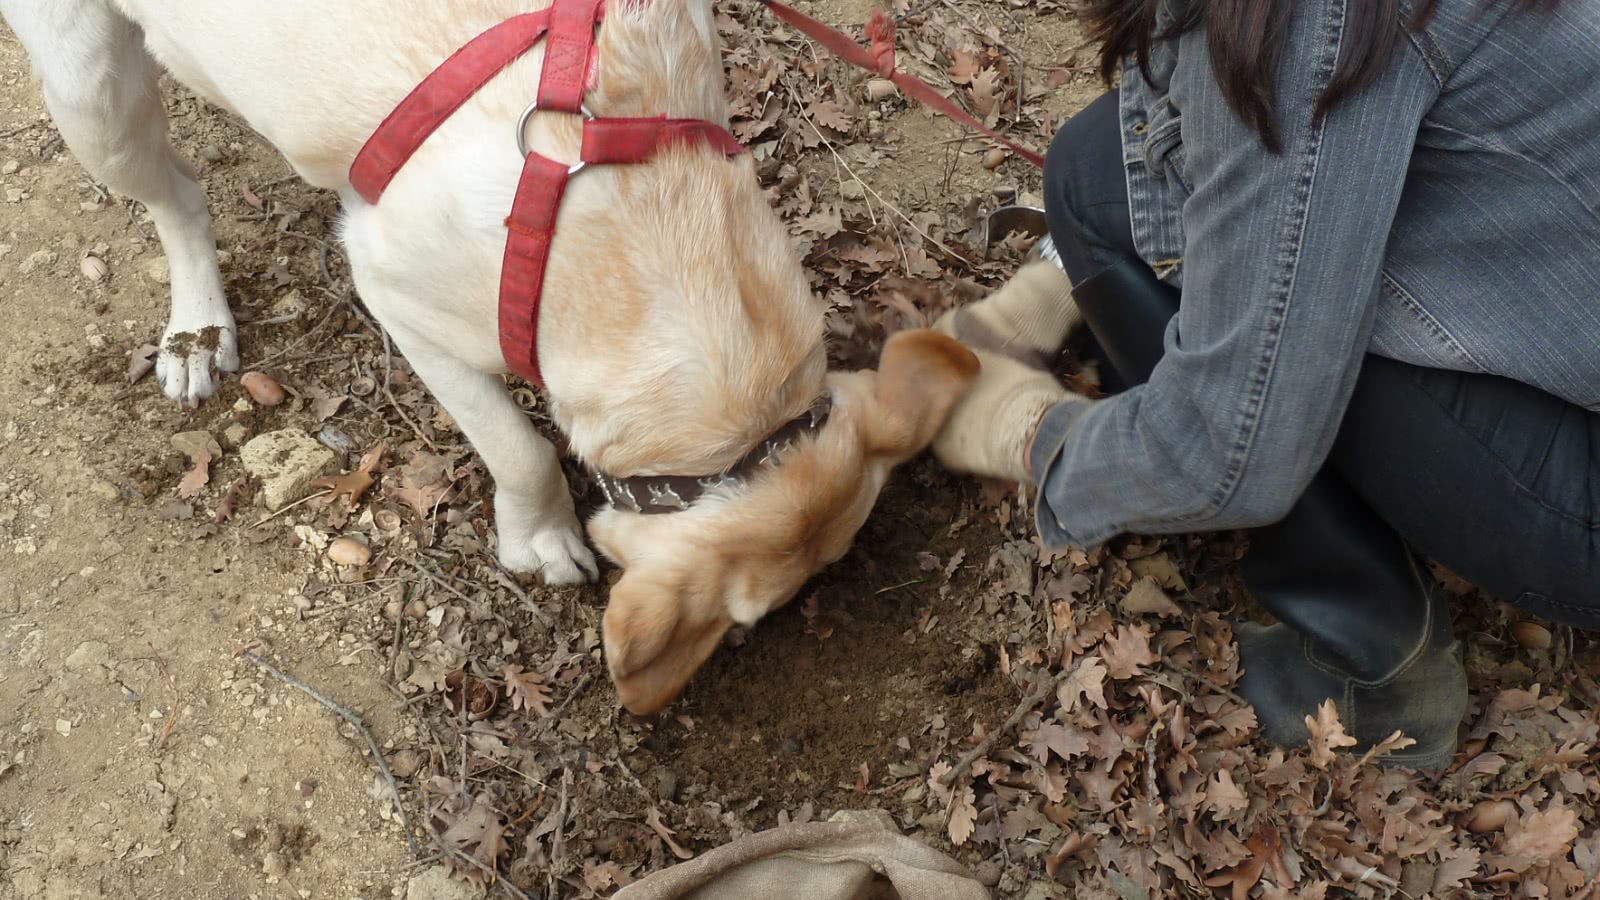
column 823, row 861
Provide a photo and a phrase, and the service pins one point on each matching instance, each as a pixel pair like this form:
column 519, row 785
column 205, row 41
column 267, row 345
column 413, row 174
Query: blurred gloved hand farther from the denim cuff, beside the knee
column 1028, row 319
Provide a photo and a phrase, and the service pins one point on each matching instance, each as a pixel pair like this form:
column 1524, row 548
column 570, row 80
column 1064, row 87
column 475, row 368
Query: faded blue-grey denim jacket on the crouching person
column 1447, row 217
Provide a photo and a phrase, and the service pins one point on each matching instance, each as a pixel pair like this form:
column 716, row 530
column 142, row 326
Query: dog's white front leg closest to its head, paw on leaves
column 534, row 508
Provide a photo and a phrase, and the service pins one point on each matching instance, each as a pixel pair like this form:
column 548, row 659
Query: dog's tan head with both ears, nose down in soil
column 740, row 553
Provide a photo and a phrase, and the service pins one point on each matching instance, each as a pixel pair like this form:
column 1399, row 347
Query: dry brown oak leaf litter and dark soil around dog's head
column 1066, row 723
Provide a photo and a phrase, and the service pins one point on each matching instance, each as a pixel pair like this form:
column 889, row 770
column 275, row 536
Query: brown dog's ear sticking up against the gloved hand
column 922, row 374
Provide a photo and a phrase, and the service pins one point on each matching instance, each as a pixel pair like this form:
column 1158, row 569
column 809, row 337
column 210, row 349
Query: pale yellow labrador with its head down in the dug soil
column 679, row 342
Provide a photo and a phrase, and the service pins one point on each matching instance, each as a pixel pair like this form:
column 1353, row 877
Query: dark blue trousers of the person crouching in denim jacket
column 1489, row 476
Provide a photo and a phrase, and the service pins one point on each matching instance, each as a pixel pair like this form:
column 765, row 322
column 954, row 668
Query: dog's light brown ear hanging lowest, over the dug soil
column 660, row 625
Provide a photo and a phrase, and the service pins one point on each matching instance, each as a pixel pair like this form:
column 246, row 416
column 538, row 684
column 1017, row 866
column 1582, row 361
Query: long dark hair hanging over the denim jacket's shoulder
column 1246, row 39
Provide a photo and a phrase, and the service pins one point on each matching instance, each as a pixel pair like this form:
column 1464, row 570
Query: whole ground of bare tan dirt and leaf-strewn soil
column 143, row 757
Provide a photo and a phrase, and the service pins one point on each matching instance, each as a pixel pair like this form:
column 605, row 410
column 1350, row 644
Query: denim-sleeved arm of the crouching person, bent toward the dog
column 1282, row 267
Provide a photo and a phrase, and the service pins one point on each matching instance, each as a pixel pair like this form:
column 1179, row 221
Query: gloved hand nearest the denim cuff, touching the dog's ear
column 991, row 428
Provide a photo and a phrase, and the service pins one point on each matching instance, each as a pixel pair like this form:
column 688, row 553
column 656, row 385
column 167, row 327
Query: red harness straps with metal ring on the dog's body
column 569, row 33
